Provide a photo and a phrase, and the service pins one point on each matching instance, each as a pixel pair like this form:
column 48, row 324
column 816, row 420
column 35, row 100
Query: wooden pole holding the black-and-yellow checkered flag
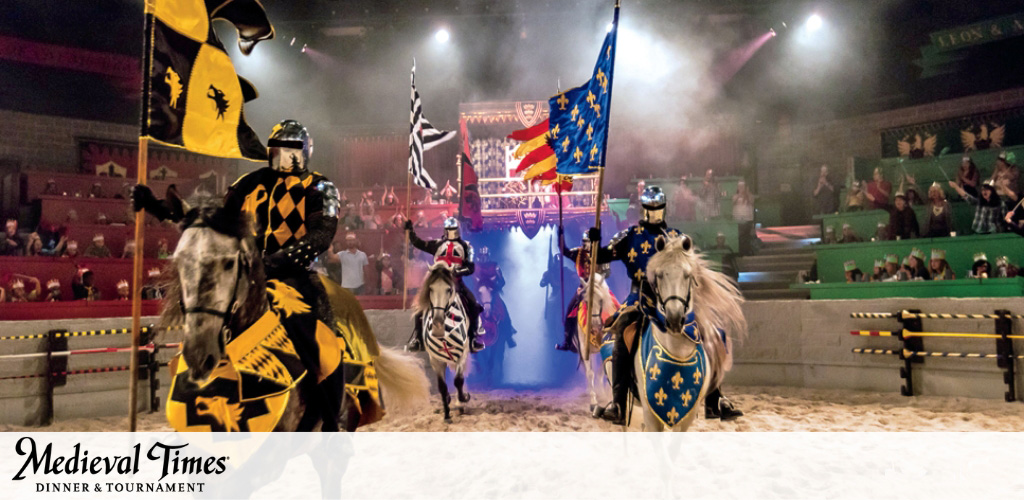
column 142, row 176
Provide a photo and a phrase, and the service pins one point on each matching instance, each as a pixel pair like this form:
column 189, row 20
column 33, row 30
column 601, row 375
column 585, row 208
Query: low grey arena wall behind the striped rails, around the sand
column 803, row 344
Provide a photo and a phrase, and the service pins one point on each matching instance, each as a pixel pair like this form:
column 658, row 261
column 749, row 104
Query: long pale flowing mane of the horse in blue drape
column 717, row 304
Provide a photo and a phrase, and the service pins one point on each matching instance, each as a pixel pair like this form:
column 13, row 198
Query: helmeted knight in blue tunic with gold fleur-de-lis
column 634, row 247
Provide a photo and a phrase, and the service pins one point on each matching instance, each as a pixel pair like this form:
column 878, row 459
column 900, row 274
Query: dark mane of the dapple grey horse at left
column 210, row 213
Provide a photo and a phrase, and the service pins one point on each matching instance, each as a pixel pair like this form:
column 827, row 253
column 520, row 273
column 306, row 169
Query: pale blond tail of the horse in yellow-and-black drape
column 404, row 384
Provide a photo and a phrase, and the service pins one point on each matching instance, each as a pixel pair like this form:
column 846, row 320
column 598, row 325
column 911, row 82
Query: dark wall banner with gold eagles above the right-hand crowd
column 975, row 133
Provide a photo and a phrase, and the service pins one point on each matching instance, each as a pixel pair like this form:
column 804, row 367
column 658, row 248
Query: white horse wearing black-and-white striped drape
column 446, row 335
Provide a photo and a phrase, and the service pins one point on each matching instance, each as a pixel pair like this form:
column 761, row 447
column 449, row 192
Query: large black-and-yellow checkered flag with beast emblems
column 194, row 97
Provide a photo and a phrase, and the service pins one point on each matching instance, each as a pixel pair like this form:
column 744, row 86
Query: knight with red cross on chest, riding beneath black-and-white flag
column 456, row 254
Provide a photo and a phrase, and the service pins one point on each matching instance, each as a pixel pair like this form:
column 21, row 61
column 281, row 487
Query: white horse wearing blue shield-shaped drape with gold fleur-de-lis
column 685, row 352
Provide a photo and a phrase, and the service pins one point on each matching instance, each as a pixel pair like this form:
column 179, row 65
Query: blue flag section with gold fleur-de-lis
column 579, row 123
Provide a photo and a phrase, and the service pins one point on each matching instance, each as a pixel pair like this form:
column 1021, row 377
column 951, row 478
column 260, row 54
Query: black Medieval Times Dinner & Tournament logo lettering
column 91, row 474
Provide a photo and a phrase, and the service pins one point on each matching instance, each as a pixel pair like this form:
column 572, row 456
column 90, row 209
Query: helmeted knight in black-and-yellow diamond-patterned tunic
column 296, row 215
